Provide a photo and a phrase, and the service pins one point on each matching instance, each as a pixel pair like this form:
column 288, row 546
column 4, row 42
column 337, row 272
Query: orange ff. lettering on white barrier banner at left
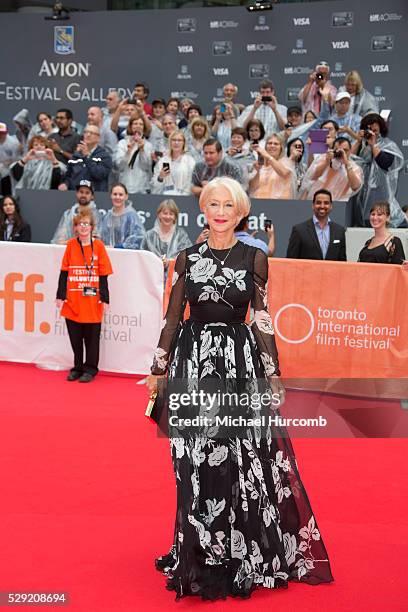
column 28, row 294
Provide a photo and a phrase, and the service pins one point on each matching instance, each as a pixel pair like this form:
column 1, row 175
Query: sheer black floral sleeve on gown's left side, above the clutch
column 173, row 318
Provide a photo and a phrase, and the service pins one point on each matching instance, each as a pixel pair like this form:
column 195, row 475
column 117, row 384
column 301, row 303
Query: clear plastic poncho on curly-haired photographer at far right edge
column 379, row 184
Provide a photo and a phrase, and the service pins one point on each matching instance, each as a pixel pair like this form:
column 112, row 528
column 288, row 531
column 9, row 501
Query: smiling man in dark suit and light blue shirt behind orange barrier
column 318, row 237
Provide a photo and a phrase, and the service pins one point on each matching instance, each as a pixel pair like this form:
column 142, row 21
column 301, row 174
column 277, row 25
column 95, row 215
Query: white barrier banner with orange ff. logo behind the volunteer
column 30, row 319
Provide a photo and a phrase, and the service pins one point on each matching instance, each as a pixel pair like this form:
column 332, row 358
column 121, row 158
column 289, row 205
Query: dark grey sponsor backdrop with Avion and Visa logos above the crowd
column 194, row 52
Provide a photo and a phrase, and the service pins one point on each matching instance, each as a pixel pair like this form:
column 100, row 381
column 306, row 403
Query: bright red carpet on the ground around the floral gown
column 87, row 502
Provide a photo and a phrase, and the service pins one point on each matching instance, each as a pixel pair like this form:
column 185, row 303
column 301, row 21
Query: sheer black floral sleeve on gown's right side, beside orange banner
column 261, row 324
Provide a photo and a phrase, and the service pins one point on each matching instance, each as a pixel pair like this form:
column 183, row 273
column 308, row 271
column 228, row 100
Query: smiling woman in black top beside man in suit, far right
column 383, row 247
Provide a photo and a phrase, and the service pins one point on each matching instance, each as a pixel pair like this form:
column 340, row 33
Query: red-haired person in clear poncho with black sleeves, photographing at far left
column 39, row 168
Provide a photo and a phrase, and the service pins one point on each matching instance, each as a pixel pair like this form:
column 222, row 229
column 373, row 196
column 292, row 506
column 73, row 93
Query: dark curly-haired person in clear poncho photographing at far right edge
column 381, row 160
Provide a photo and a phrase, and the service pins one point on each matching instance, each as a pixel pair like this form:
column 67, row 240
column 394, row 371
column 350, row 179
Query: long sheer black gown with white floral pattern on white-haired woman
column 243, row 518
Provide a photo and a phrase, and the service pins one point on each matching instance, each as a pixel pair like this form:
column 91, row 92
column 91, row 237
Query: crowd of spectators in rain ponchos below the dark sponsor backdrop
column 133, row 146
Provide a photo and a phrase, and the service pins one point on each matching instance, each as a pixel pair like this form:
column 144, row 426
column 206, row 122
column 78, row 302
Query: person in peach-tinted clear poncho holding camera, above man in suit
column 334, row 171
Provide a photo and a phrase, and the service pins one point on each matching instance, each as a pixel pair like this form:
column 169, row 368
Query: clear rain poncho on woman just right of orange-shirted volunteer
column 124, row 230
